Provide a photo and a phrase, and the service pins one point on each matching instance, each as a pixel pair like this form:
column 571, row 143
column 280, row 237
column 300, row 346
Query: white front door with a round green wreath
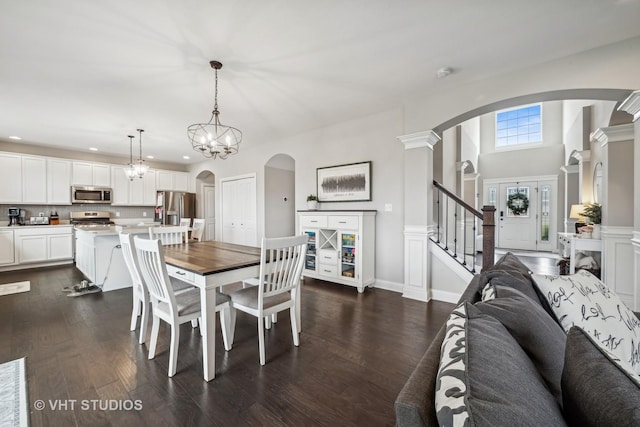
column 517, row 230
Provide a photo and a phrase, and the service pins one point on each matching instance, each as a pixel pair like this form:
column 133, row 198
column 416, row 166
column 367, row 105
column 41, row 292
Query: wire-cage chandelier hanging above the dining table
column 213, row 139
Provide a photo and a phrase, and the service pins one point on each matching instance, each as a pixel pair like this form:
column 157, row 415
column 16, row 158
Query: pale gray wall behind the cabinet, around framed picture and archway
column 370, row 138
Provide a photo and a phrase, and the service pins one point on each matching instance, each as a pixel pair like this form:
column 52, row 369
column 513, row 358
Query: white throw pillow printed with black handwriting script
column 582, row 300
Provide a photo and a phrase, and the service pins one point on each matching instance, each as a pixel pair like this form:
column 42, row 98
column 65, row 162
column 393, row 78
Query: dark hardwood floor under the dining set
column 356, row 351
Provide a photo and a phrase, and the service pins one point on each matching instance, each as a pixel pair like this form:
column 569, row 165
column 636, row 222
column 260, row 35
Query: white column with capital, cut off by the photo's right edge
column 632, row 106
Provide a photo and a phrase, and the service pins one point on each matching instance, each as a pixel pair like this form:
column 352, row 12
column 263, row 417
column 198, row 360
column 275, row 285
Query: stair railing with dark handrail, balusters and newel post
column 448, row 237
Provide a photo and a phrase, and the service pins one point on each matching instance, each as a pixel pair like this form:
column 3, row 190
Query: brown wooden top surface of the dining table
column 211, row 257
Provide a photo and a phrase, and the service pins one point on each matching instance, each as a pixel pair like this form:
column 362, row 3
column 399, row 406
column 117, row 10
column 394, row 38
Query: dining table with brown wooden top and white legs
column 209, row 265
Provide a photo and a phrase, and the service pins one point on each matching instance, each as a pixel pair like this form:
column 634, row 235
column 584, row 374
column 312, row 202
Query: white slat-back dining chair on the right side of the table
column 281, row 262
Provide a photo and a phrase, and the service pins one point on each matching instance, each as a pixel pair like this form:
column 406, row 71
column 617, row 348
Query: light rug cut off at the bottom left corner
column 14, row 409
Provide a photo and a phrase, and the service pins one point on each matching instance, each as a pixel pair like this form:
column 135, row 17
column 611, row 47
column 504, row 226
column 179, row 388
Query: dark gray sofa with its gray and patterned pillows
column 521, row 365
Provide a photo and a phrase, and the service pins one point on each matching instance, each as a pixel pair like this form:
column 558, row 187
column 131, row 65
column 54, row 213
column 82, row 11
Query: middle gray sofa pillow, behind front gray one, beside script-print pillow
column 539, row 335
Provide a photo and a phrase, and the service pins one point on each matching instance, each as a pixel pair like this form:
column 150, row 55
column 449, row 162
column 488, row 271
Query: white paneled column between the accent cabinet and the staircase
column 418, row 212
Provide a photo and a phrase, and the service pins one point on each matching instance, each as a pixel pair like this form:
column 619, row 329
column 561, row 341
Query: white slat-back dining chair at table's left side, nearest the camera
column 175, row 309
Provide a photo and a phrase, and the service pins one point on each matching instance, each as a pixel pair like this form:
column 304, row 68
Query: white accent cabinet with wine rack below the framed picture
column 341, row 247
